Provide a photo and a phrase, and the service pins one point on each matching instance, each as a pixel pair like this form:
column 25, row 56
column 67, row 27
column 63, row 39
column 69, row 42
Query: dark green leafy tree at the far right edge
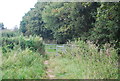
column 107, row 25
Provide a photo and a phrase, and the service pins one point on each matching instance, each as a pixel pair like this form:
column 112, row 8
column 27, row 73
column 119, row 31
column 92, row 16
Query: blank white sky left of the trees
column 12, row 11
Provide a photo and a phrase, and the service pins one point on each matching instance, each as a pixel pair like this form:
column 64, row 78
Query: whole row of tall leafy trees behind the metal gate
column 64, row 21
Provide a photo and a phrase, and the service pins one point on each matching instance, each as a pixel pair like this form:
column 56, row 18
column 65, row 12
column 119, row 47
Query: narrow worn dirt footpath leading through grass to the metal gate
column 50, row 73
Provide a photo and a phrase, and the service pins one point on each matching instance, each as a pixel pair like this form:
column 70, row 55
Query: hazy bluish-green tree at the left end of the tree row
column 32, row 23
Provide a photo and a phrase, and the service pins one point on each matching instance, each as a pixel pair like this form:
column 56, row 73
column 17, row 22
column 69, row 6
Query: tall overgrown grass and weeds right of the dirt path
column 85, row 61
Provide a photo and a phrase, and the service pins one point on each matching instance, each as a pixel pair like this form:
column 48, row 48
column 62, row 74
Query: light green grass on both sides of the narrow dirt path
column 82, row 62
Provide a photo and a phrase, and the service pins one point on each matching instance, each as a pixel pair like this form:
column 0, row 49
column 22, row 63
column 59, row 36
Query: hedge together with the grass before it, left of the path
column 22, row 57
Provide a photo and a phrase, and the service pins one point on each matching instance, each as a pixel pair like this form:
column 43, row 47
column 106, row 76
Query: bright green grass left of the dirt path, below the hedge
column 22, row 64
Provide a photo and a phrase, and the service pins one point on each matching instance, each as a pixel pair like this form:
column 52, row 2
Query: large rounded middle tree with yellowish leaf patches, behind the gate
column 68, row 20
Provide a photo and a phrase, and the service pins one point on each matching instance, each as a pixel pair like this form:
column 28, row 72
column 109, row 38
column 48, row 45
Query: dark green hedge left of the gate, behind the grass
column 33, row 43
